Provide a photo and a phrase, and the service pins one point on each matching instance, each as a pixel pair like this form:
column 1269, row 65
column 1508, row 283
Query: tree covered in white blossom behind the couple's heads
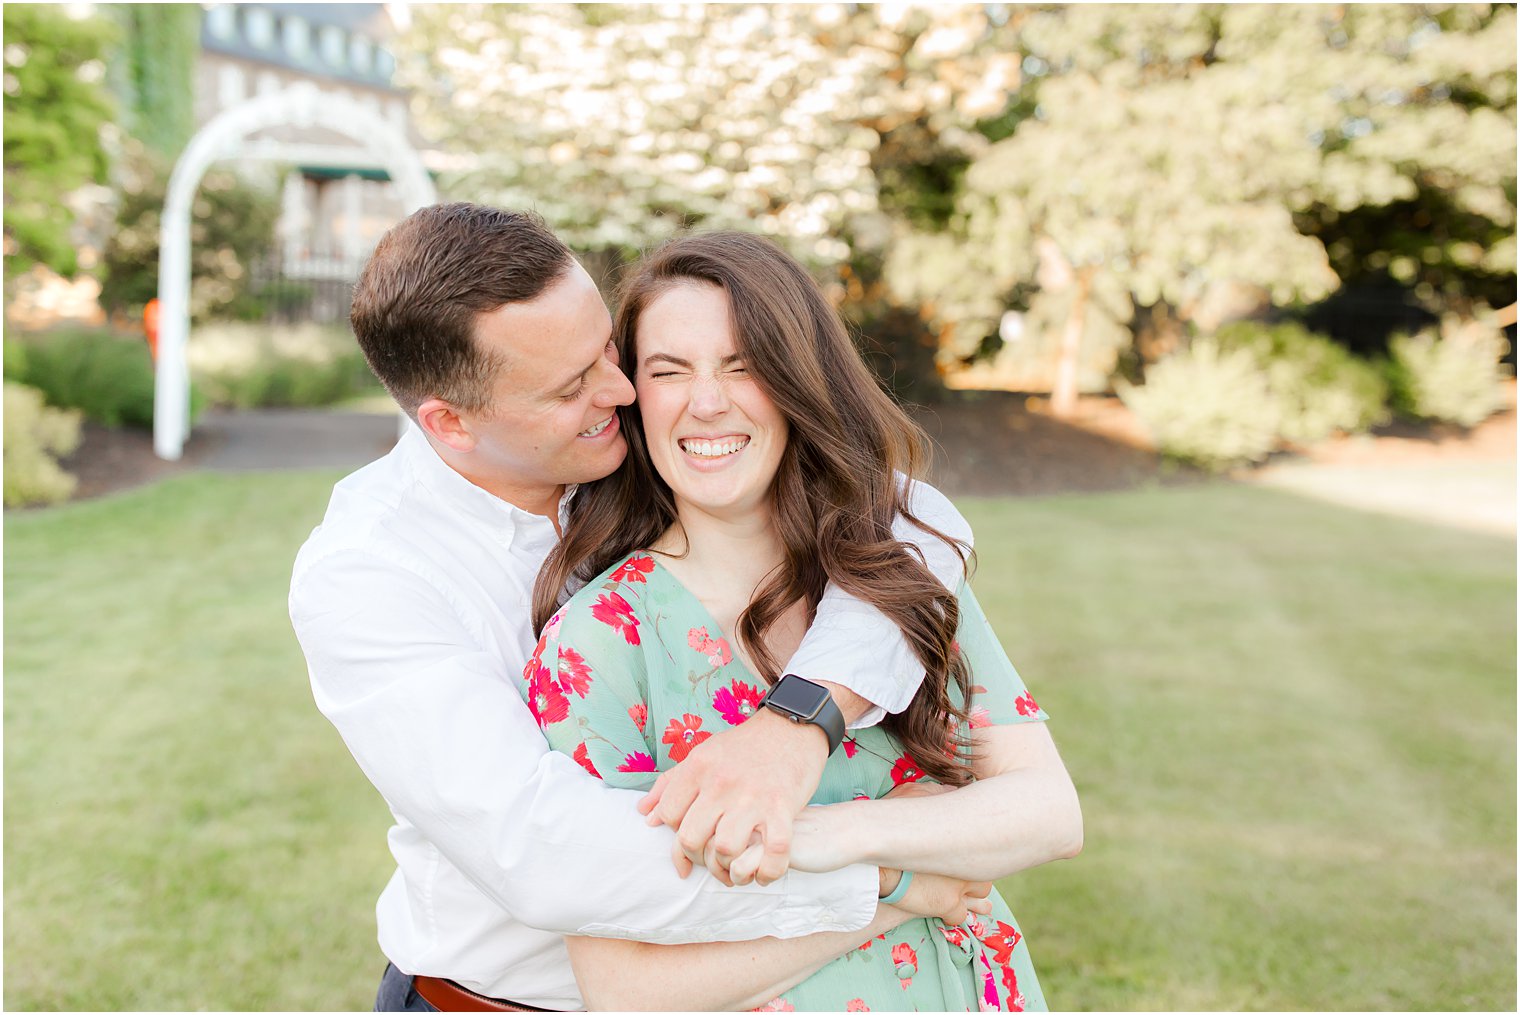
column 625, row 124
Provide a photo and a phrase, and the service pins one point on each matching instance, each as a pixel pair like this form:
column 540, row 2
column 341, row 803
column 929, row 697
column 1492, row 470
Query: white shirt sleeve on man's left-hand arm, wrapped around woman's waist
column 439, row 727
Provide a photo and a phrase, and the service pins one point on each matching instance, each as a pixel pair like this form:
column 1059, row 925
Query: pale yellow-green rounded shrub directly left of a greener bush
column 1208, row 406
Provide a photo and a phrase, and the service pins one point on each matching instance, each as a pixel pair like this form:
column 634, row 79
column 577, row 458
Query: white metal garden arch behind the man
column 299, row 106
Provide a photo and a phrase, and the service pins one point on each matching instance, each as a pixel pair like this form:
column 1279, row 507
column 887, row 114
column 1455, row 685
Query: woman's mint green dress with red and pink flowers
column 633, row 674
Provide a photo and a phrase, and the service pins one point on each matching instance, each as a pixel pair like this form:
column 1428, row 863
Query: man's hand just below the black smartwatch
column 747, row 782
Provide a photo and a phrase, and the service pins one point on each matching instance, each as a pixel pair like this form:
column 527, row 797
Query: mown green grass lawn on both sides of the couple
column 1293, row 727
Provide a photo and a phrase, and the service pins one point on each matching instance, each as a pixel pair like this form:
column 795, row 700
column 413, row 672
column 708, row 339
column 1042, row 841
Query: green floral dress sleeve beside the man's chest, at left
column 587, row 688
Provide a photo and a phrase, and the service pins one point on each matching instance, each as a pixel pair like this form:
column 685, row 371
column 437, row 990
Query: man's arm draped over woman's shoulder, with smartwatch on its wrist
column 750, row 782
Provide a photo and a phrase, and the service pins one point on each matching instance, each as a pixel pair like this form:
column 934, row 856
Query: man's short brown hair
column 419, row 297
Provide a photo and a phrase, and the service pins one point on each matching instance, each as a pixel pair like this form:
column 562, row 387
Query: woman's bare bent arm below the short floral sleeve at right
column 1022, row 812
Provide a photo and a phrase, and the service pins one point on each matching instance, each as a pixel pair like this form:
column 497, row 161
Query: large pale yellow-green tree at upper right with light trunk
column 1170, row 150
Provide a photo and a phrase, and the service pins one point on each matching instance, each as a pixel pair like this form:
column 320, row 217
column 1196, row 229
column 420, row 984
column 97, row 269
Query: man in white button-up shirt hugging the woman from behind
column 413, row 607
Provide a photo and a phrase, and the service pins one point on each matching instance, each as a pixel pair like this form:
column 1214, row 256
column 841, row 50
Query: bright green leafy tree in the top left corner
column 55, row 107
